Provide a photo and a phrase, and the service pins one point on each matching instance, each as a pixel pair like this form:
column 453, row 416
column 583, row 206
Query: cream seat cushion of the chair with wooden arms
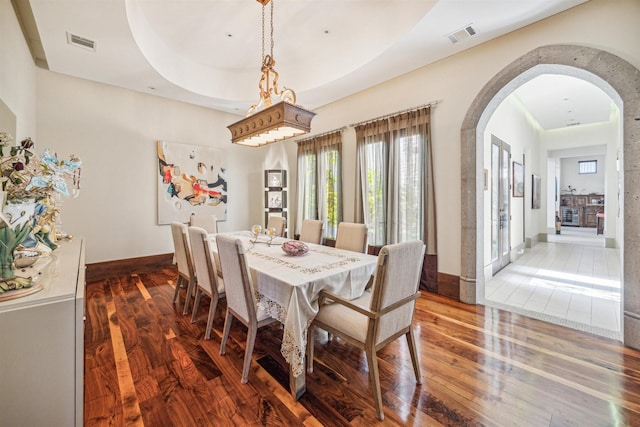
column 345, row 320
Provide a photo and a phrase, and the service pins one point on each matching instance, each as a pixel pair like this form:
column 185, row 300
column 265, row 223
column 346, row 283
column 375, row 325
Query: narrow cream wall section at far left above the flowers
column 17, row 73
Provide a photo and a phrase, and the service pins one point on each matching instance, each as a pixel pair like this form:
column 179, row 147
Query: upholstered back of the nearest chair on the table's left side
column 237, row 279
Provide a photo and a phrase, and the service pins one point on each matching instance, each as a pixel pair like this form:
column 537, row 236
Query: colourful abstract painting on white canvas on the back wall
column 191, row 179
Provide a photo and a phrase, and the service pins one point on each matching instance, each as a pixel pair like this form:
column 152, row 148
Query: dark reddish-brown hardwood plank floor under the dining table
column 147, row 364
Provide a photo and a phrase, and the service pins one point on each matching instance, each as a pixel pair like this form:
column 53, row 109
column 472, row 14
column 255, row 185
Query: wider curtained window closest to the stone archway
column 396, row 185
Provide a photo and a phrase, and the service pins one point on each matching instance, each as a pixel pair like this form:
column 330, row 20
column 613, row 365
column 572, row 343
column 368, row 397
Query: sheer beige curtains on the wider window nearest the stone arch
column 407, row 138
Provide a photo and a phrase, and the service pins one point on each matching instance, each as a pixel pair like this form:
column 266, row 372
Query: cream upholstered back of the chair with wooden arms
column 397, row 277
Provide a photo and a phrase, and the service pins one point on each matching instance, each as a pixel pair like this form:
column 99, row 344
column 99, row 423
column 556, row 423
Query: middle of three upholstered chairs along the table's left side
column 207, row 280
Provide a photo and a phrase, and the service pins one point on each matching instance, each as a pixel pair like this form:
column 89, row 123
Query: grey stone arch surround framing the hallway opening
column 585, row 61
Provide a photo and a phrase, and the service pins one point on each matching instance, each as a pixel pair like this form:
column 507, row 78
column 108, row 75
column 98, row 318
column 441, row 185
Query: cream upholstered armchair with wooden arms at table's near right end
column 379, row 316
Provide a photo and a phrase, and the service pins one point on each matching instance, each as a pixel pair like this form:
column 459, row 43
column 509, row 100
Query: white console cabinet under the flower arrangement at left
column 42, row 345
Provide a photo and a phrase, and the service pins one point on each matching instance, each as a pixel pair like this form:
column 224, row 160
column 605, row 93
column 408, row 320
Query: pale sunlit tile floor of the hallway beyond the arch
column 572, row 280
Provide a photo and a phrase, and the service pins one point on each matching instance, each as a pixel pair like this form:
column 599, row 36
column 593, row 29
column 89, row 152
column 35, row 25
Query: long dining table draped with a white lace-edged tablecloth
column 288, row 288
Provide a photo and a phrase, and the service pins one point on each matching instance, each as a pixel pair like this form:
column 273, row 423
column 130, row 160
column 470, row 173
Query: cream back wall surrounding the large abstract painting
column 114, row 131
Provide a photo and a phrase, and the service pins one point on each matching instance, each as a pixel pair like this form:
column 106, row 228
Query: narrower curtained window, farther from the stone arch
column 319, row 181
